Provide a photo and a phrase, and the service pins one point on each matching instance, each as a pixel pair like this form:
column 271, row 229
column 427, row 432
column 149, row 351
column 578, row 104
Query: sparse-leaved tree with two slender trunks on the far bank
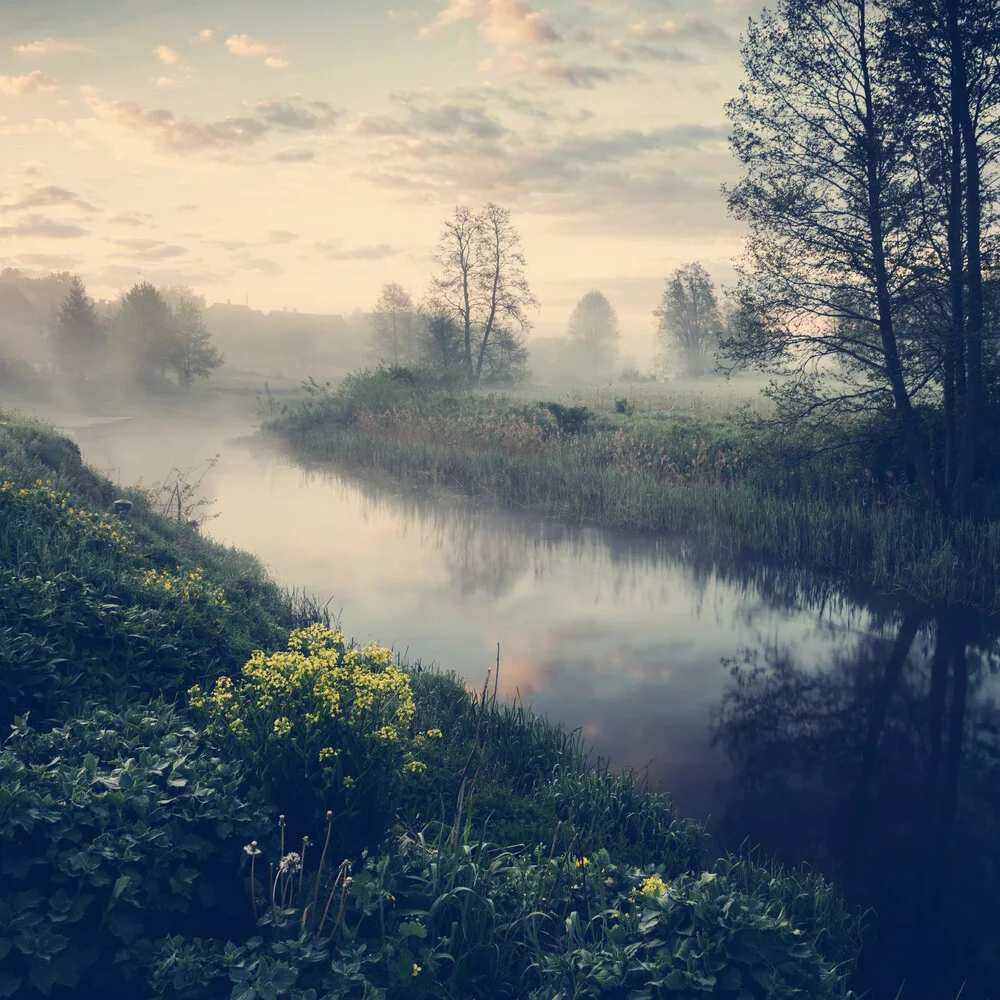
column 481, row 279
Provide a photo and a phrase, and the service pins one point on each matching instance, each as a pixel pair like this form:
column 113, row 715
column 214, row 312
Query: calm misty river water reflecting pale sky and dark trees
column 850, row 731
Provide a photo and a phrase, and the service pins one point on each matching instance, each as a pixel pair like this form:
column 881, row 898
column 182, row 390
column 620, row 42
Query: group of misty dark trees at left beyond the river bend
column 148, row 336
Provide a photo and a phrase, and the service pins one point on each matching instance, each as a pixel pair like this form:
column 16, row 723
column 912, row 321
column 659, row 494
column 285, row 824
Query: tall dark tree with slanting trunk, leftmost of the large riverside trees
column 829, row 205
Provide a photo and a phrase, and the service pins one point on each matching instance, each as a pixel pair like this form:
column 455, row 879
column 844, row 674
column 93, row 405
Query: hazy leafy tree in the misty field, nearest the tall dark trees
column 688, row 318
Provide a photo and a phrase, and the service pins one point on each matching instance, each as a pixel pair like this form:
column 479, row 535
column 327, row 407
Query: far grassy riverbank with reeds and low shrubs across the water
column 651, row 460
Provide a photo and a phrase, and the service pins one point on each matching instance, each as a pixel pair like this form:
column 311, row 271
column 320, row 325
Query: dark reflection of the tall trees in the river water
column 882, row 771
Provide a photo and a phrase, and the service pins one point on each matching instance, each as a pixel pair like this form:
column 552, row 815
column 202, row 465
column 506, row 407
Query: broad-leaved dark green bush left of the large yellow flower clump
column 116, row 829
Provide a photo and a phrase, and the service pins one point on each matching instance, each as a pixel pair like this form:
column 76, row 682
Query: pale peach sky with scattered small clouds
column 300, row 154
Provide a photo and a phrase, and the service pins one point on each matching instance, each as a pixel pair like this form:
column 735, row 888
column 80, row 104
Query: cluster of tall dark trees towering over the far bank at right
column 862, row 129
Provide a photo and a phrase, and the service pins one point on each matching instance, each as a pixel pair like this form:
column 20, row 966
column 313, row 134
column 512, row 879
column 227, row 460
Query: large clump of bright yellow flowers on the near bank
column 321, row 723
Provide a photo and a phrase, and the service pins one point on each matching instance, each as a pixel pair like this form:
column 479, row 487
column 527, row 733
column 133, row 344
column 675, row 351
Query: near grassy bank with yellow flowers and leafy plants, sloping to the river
column 180, row 726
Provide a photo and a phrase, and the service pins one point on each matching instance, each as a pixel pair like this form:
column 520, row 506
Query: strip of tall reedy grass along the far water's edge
column 853, row 535
